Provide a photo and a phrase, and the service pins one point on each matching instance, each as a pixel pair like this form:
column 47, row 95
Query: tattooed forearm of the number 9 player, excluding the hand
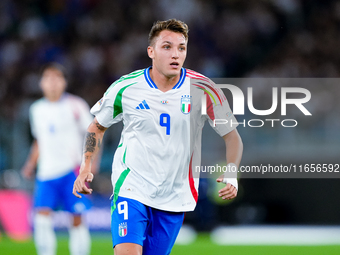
column 93, row 141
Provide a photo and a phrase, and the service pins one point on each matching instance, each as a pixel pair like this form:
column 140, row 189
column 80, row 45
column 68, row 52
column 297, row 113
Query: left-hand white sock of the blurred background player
column 44, row 236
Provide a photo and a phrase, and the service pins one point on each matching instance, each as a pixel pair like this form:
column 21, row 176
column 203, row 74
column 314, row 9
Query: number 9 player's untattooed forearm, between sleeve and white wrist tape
column 234, row 147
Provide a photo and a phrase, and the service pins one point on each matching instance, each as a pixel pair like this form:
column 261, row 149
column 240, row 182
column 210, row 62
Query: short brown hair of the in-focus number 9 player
column 173, row 25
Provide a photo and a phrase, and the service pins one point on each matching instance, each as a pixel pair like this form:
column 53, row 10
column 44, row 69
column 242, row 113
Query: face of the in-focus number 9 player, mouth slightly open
column 168, row 53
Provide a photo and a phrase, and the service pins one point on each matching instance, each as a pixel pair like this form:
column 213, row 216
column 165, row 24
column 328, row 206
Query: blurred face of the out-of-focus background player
column 53, row 84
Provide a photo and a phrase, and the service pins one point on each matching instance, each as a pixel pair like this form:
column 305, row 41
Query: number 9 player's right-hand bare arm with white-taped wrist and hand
column 234, row 148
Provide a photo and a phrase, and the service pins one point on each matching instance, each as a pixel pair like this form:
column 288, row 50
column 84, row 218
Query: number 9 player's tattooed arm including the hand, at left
column 92, row 144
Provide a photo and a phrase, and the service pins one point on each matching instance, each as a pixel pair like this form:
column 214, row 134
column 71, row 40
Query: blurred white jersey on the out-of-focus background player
column 59, row 128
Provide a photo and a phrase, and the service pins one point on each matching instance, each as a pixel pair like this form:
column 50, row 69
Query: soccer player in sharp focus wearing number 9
column 153, row 167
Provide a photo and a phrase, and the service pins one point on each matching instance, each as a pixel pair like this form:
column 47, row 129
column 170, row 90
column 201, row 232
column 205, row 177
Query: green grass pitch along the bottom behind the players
column 101, row 245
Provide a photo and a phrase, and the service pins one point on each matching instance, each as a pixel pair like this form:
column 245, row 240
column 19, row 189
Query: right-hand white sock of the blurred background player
column 80, row 240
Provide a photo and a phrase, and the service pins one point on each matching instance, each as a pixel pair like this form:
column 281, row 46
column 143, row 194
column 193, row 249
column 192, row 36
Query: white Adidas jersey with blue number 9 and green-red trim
column 161, row 137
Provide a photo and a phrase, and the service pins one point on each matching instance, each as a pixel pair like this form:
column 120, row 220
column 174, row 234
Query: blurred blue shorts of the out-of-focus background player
column 57, row 194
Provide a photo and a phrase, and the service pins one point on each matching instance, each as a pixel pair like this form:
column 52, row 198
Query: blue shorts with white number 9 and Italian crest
column 134, row 222
